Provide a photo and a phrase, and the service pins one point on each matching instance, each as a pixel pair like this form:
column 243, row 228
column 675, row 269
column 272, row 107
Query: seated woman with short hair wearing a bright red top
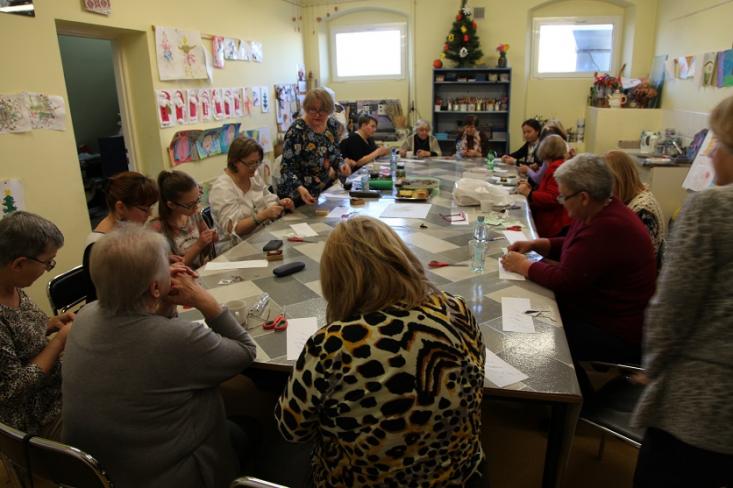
column 550, row 216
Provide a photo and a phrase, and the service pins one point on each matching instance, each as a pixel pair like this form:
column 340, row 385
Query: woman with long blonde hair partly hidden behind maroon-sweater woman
column 629, row 189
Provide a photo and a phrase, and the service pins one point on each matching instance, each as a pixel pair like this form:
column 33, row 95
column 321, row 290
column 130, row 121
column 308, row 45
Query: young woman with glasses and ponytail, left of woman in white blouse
column 180, row 221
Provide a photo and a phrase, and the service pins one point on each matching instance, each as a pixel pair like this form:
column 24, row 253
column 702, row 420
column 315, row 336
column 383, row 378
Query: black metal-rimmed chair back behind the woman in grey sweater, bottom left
column 65, row 465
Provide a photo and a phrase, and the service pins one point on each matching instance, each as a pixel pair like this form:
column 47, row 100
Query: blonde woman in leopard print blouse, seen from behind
column 390, row 388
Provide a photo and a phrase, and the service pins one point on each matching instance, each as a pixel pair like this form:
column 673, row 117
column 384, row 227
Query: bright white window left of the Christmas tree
column 368, row 52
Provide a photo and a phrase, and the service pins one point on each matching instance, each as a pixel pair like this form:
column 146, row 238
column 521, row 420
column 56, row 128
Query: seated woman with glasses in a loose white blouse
column 239, row 199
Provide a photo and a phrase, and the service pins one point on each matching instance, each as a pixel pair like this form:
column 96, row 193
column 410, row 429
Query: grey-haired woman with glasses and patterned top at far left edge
column 30, row 371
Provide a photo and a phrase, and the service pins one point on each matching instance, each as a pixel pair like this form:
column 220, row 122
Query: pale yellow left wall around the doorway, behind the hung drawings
column 46, row 161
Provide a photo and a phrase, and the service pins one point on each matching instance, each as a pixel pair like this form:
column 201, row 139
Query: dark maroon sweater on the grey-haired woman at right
column 606, row 272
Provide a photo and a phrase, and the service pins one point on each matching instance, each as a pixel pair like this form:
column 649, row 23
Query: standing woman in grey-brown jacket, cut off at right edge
column 687, row 406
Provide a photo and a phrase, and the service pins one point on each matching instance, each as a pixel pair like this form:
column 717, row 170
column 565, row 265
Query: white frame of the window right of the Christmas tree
column 537, row 22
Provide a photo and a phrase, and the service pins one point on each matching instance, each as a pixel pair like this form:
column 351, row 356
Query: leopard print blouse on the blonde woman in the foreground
column 390, row 398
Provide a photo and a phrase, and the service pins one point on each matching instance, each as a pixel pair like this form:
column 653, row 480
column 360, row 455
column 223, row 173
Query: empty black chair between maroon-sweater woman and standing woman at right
column 611, row 407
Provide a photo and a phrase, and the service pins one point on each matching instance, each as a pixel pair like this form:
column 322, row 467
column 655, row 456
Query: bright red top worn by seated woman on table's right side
column 550, row 217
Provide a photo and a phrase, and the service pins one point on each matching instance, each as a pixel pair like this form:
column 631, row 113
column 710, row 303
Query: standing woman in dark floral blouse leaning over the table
column 311, row 156
